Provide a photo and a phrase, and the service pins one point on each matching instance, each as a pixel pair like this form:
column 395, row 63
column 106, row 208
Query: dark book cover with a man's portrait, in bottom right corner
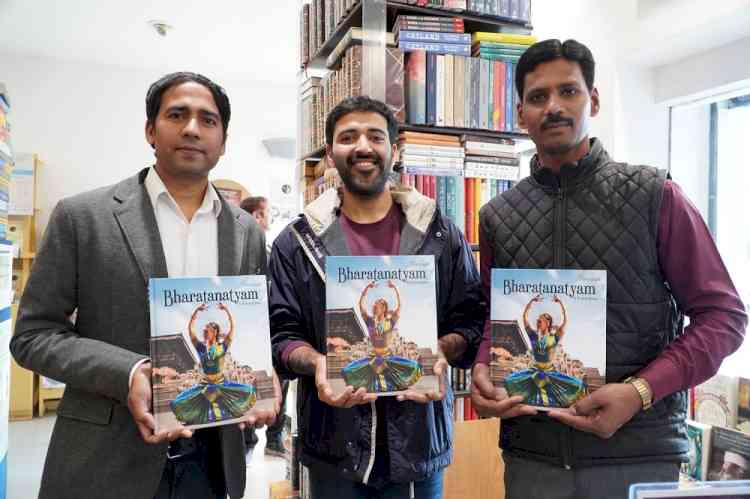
column 730, row 455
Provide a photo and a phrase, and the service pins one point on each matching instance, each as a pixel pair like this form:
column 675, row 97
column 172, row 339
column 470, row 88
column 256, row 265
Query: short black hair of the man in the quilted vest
column 549, row 50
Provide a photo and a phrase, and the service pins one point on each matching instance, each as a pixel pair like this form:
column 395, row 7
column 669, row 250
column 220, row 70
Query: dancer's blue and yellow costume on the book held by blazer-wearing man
column 214, row 398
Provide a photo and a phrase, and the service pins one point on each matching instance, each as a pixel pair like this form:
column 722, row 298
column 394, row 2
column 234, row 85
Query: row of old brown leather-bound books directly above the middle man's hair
column 320, row 95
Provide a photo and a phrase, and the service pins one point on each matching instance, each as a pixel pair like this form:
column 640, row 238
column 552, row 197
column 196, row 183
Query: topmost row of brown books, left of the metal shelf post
column 318, row 21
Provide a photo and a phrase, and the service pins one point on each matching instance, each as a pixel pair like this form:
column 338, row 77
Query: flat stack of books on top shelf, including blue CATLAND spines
column 441, row 35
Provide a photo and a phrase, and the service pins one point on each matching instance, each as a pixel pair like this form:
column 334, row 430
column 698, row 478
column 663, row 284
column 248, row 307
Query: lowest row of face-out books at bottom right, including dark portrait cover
column 717, row 453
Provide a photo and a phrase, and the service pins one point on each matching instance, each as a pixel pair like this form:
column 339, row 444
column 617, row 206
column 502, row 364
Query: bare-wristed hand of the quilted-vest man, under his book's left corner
column 494, row 402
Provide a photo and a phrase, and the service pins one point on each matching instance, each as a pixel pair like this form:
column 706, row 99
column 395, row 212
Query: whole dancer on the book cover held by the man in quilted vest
column 541, row 384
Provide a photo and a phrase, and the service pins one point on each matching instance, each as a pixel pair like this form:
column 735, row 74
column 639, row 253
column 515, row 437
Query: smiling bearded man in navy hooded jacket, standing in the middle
column 354, row 445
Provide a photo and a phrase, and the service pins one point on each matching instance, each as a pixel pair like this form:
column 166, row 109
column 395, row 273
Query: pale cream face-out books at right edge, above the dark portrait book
column 722, row 401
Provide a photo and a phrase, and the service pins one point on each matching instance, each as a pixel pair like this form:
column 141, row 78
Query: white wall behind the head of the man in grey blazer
column 87, row 124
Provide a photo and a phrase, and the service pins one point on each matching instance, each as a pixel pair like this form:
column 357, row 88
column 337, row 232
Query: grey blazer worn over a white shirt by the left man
column 97, row 255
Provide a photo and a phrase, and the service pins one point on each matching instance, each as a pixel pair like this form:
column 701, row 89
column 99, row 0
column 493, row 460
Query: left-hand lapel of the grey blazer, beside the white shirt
column 135, row 215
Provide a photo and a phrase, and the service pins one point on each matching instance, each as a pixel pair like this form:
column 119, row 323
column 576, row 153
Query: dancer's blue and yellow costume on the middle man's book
column 382, row 372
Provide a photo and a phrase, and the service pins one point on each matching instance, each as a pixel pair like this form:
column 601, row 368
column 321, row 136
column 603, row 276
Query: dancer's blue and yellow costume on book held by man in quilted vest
column 541, row 385
